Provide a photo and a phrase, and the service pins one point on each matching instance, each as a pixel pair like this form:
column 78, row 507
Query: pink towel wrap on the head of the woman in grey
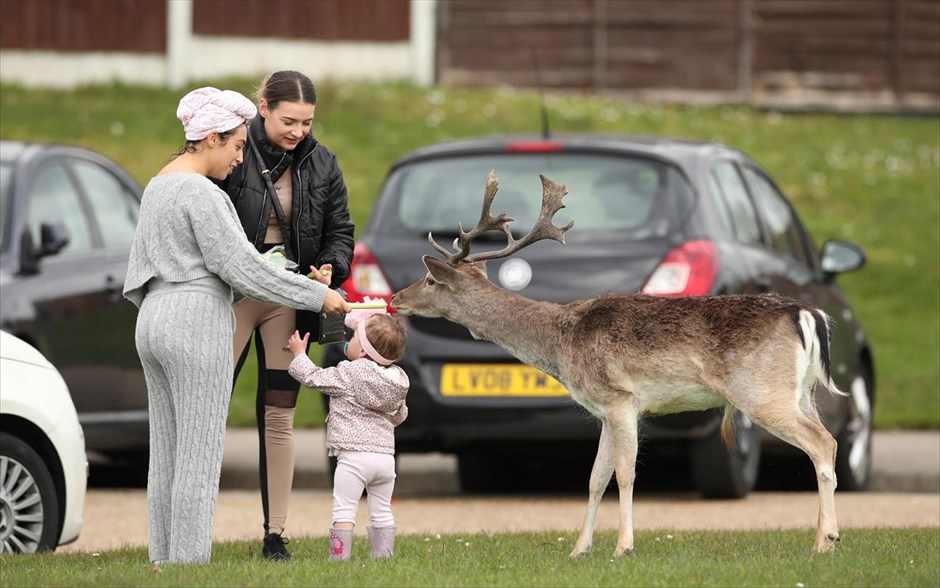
column 209, row 109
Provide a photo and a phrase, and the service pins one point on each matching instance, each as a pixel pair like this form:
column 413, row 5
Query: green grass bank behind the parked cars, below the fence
column 873, row 179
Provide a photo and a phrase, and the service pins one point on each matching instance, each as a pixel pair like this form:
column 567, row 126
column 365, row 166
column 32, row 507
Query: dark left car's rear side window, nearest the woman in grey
column 112, row 205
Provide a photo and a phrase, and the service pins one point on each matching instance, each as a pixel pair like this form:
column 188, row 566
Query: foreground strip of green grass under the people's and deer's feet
column 865, row 557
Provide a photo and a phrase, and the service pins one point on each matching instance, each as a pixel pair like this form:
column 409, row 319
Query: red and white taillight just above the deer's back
column 688, row 270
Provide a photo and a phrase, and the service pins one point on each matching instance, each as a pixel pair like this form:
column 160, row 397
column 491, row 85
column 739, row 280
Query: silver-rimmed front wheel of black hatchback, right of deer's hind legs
column 853, row 457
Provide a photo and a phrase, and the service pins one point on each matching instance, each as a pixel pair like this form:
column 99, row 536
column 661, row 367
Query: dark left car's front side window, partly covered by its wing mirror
column 54, row 198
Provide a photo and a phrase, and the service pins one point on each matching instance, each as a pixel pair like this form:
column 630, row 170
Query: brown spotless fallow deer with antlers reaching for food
column 626, row 356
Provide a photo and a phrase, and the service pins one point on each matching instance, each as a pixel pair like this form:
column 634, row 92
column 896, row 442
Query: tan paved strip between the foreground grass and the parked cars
column 117, row 518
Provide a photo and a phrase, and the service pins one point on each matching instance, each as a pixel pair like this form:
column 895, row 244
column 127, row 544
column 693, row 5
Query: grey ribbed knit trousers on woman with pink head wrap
column 184, row 338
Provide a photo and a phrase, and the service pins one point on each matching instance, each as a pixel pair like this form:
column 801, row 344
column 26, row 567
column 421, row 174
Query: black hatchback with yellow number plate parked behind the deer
column 656, row 215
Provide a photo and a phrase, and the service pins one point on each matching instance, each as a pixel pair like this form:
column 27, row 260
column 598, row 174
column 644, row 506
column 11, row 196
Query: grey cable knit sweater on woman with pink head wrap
column 188, row 229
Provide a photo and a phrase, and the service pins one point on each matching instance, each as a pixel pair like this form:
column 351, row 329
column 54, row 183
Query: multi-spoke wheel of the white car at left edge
column 29, row 507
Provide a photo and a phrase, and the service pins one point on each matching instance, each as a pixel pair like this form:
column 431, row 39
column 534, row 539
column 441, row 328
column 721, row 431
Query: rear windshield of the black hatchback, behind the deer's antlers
column 633, row 197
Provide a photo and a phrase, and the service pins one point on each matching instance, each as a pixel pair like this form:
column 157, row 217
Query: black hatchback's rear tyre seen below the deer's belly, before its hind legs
column 722, row 472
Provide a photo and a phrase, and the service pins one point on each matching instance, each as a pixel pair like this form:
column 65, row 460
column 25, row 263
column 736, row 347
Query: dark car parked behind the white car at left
column 68, row 219
